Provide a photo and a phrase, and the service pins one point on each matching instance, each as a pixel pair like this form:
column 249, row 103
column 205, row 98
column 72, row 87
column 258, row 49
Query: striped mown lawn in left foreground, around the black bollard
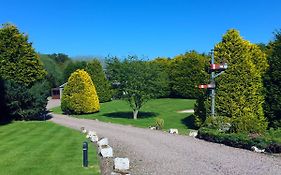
column 43, row 148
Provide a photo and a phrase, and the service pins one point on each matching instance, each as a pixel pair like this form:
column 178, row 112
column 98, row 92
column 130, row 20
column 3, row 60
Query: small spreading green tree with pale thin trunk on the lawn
column 137, row 81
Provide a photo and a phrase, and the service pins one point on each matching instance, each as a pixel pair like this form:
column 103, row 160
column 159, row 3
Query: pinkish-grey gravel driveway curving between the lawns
column 159, row 153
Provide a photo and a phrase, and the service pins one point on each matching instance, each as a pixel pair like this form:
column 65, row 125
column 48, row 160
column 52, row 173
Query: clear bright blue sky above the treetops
column 147, row 28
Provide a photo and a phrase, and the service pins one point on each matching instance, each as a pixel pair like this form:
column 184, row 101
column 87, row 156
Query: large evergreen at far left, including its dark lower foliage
column 22, row 96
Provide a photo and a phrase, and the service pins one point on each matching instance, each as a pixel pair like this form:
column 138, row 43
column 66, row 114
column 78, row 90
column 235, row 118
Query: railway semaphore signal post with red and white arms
column 219, row 68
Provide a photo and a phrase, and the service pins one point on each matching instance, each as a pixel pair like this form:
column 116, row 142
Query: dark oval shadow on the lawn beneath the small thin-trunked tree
column 129, row 115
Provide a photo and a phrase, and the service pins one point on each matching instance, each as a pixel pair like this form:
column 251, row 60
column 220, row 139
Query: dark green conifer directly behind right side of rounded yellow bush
column 98, row 76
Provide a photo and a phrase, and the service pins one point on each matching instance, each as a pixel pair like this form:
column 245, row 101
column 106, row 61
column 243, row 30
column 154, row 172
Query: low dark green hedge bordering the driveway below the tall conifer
column 270, row 141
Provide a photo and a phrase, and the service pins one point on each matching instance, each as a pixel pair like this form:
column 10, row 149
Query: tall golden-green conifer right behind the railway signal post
column 240, row 88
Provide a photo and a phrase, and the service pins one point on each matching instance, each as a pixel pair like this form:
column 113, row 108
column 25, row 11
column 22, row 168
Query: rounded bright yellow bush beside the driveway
column 79, row 95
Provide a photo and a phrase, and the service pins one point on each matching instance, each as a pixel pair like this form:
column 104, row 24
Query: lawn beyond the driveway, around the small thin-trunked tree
column 118, row 111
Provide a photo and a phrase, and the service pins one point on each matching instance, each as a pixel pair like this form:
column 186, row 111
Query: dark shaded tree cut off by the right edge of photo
column 273, row 83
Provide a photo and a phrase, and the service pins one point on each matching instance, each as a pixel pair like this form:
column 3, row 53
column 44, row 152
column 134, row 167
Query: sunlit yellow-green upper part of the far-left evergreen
column 18, row 60
